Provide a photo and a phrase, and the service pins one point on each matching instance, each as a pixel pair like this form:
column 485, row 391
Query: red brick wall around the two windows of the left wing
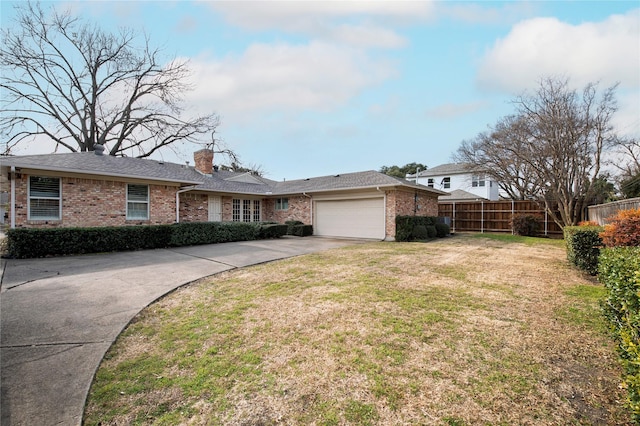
column 95, row 202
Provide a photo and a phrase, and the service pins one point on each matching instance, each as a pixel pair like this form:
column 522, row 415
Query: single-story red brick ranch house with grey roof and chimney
column 93, row 189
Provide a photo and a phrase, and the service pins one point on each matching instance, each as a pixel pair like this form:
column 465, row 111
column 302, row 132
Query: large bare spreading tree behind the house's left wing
column 80, row 87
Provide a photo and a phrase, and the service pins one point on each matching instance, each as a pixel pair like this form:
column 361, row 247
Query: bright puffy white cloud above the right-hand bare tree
column 607, row 51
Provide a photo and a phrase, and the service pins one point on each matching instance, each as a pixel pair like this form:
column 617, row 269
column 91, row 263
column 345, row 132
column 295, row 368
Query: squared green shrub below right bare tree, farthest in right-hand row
column 583, row 246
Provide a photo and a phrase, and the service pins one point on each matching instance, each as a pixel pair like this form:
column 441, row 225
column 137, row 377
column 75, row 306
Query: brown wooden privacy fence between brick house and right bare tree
column 494, row 216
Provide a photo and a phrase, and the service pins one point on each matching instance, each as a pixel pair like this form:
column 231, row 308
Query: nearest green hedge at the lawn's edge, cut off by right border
column 619, row 271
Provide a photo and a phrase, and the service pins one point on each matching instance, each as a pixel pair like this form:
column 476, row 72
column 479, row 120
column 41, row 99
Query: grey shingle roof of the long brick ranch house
column 221, row 181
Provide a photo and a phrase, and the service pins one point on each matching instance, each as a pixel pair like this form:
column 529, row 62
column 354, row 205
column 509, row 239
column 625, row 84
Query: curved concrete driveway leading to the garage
column 58, row 316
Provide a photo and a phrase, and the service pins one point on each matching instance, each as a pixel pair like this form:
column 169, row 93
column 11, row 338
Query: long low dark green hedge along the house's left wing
column 30, row 242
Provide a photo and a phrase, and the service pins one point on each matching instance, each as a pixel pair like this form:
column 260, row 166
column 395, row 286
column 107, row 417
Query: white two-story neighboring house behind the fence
column 463, row 183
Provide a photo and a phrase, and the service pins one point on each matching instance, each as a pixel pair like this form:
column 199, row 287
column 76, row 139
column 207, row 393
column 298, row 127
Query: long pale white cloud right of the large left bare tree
column 284, row 77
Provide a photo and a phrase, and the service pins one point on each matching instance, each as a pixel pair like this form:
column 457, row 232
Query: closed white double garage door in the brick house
column 350, row 218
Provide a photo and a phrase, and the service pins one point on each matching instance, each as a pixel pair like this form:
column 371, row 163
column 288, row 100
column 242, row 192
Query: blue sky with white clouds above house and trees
column 317, row 88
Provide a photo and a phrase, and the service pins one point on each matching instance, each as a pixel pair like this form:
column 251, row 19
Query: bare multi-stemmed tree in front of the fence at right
column 552, row 147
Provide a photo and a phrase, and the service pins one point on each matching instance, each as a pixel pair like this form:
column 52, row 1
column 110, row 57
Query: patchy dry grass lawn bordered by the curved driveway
column 465, row 330
